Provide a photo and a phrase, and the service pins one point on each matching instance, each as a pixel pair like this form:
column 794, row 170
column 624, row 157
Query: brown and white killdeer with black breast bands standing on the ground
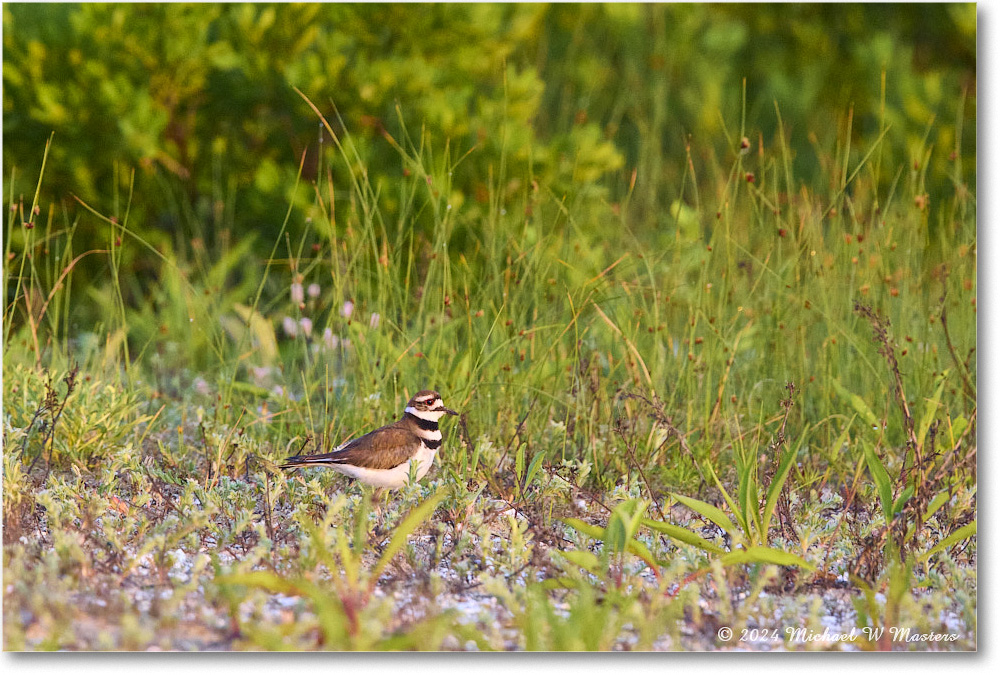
column 382, row 458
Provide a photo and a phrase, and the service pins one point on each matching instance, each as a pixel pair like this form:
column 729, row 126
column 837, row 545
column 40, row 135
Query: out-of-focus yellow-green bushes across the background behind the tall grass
column 199, row 99
